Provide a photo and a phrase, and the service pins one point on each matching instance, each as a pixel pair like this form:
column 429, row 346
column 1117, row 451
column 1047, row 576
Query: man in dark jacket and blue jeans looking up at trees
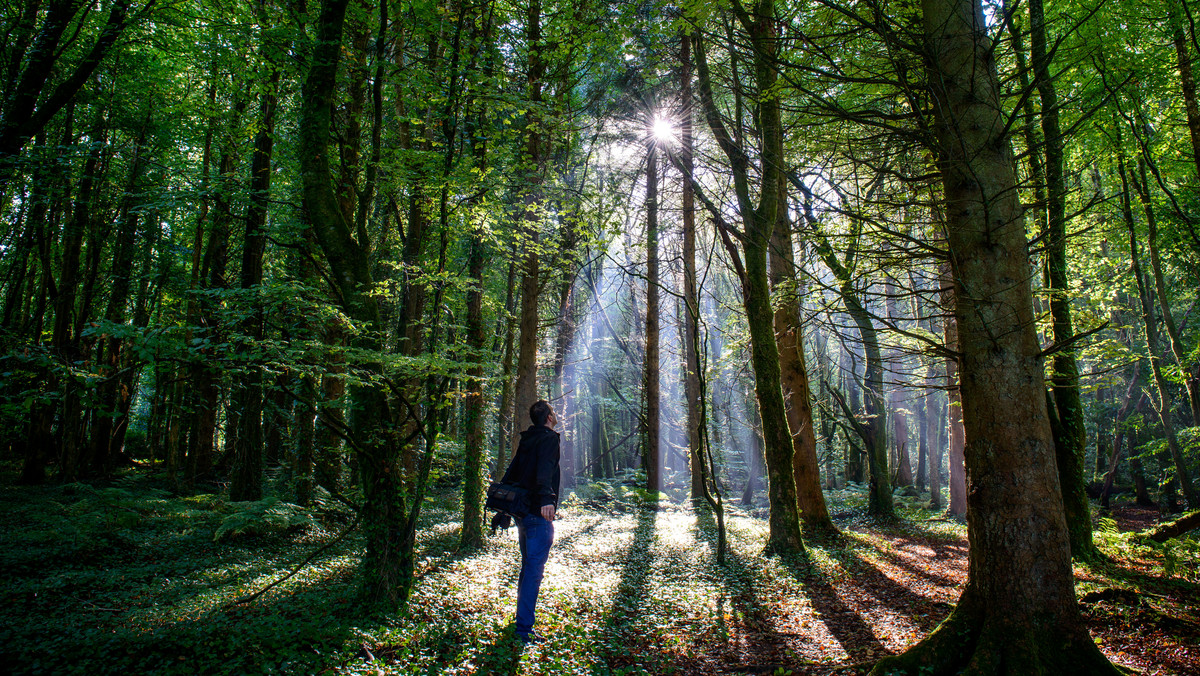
column 536, row 468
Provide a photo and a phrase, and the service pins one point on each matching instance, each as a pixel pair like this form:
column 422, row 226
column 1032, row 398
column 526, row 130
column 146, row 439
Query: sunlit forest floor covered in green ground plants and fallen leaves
column 130, row 579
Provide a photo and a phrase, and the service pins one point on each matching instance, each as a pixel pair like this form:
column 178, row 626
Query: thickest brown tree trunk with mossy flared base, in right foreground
column 1018, row 613
